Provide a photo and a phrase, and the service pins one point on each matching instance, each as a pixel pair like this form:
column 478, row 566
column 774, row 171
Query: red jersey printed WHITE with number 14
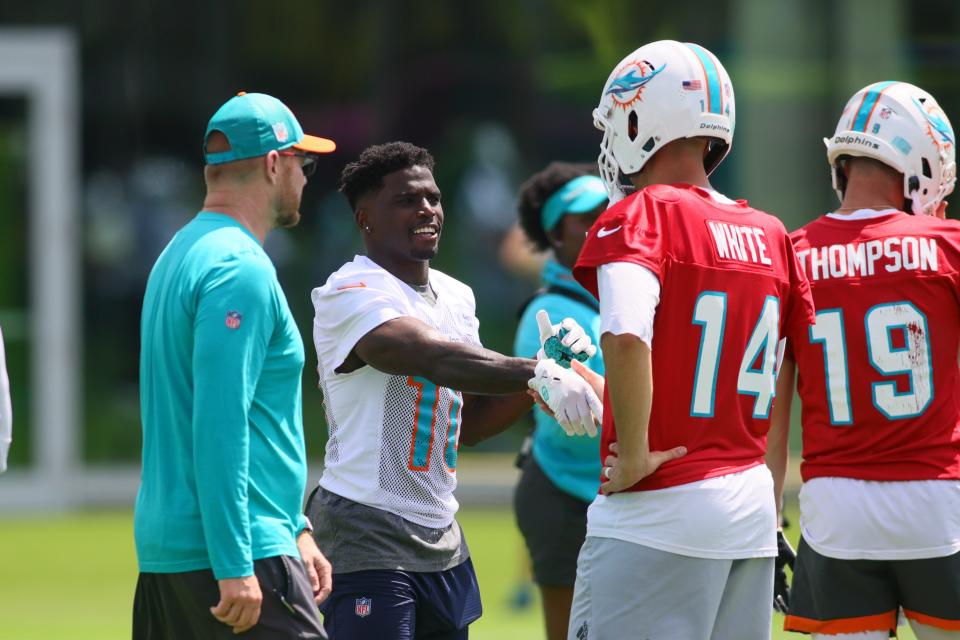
column 730, row 287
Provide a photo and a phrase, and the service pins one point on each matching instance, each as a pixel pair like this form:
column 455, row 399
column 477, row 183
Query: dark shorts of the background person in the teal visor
column 553, row 524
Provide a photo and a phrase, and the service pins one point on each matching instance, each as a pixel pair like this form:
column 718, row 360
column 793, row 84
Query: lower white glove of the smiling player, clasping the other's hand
column 570, row 398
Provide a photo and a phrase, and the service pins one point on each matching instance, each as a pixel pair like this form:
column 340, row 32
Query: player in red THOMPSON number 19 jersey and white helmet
column 878, row 380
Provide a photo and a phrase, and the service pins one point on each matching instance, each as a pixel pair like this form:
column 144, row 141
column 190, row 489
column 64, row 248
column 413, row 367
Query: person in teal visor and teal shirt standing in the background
column 560, row 476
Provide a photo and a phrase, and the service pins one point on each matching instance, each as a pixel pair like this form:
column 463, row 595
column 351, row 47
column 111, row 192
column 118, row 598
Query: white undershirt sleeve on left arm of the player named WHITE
column 629, row 295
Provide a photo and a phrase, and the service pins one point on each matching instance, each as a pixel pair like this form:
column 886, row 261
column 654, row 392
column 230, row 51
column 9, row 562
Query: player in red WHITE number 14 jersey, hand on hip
column 695, row 293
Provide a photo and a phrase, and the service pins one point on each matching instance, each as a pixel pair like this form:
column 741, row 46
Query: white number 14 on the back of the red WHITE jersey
column 757, row 366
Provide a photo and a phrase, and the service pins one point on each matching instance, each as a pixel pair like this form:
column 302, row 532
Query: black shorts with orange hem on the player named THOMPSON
column 831, row 596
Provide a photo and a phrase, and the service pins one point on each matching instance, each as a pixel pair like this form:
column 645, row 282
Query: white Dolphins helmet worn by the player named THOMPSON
column 903, row 127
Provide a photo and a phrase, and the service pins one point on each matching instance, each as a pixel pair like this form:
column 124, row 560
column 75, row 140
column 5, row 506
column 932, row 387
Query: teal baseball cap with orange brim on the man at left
column 256, row 124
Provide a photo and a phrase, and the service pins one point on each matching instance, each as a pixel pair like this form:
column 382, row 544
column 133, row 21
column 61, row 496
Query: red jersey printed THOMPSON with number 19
column 878, row 372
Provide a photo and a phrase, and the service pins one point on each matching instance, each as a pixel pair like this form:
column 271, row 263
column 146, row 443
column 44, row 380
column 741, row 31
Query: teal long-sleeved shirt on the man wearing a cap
column 224, row 465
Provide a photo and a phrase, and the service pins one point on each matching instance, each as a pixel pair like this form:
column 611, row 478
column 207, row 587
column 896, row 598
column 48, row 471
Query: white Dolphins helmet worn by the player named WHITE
column 662, row 92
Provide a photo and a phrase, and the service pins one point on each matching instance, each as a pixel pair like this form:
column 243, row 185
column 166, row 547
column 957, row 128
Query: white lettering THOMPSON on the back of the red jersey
column 863, row 259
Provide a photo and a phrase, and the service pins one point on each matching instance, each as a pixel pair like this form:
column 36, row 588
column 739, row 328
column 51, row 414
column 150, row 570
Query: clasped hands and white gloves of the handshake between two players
column 569, row 394
